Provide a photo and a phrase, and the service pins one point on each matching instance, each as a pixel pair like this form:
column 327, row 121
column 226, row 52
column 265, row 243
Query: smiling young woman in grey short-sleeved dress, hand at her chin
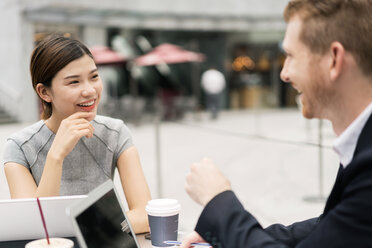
column 72, row 150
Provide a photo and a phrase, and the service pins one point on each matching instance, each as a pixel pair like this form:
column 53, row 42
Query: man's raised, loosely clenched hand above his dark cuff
column 205, row 181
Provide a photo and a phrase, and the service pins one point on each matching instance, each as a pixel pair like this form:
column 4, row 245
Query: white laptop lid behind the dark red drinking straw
column 21, row 220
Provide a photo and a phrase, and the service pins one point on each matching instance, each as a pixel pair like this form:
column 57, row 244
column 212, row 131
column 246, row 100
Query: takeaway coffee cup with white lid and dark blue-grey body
column 163, row 219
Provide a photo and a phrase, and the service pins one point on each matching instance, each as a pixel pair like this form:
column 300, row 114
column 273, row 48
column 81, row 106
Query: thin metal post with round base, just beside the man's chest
column 320, row 197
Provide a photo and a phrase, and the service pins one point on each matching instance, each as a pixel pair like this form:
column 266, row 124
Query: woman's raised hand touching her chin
column 70, row 131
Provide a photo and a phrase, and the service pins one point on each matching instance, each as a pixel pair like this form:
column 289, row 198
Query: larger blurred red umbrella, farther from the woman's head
column 168, row 54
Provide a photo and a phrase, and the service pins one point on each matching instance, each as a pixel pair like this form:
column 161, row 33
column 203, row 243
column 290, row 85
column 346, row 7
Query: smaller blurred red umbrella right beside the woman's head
column 103, row 55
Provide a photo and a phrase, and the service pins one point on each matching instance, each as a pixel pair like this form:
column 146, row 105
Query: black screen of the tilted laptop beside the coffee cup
column 103, row 224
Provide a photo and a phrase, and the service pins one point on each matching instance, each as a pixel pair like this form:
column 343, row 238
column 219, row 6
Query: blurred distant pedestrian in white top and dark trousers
column 213, row 83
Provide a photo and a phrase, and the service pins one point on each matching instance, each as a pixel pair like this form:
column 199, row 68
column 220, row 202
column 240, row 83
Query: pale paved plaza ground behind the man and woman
column 269, row 155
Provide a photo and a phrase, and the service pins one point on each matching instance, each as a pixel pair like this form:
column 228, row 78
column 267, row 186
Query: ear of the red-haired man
column 337, row 53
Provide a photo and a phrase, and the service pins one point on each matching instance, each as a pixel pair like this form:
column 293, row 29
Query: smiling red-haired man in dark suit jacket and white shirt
column 329, row 62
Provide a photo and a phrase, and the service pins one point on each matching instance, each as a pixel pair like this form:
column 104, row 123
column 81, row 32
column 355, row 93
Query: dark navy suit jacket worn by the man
column 345, row 222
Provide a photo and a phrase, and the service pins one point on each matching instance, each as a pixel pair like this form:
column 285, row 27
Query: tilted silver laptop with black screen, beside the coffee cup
column 100, row 220
